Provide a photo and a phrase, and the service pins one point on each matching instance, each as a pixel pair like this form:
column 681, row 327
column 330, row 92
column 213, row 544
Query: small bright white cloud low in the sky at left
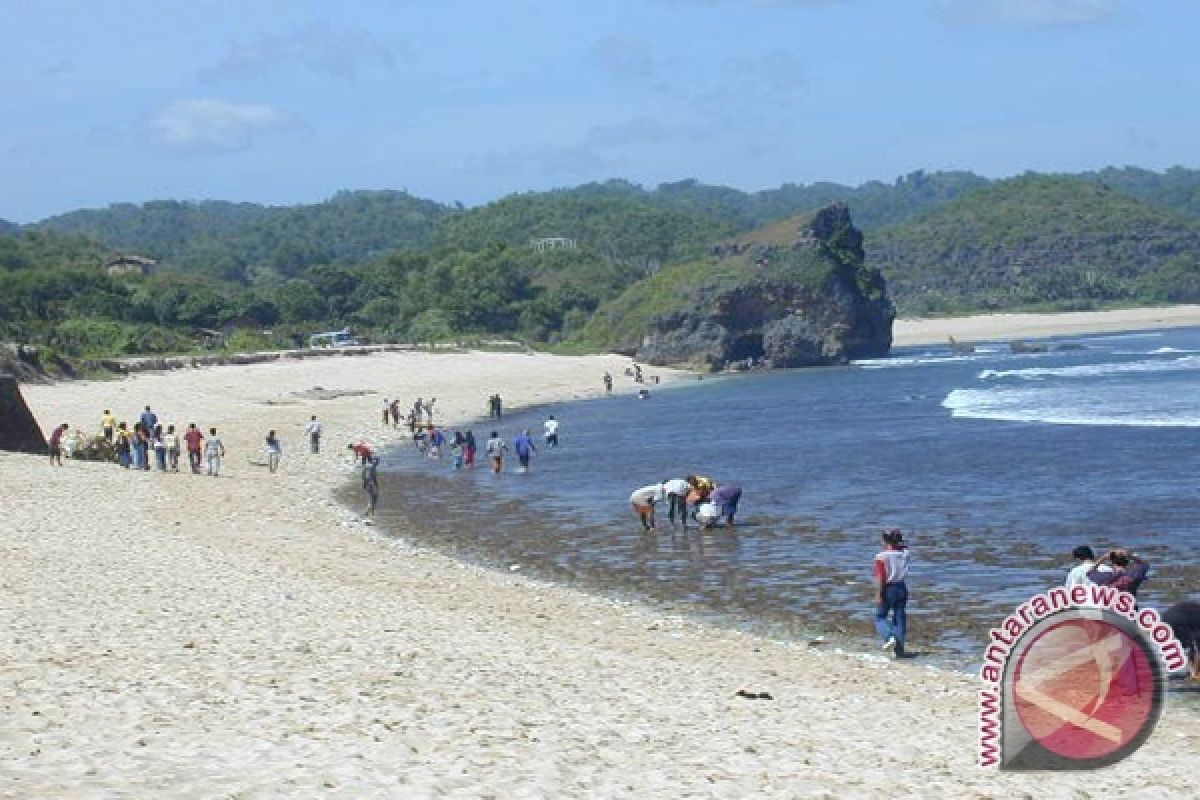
column 211, row 125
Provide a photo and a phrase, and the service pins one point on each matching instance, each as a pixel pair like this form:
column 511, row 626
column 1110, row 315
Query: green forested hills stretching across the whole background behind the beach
column 395, row 267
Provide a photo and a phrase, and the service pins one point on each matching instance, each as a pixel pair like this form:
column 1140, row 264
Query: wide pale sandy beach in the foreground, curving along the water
column 181, row 636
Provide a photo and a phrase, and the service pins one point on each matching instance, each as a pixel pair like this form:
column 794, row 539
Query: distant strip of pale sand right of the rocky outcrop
column 991, row 328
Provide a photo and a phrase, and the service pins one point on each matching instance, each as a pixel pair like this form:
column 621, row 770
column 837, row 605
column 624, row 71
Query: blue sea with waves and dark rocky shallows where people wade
column 995, row 465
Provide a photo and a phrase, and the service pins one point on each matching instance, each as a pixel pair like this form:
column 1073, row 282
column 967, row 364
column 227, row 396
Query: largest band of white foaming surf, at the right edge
column 1079, row 406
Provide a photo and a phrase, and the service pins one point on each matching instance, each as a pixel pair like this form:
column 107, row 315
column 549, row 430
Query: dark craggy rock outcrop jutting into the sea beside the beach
column 802, row 297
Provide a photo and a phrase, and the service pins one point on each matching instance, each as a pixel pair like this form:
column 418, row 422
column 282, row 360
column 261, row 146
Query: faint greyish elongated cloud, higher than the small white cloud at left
column 338, row 53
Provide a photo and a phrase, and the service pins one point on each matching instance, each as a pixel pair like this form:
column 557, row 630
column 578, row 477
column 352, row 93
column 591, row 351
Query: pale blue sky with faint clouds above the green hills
column 290, row 101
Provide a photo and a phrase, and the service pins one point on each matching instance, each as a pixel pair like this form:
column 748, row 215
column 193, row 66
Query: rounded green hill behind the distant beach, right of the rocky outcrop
column 1037, row 240
